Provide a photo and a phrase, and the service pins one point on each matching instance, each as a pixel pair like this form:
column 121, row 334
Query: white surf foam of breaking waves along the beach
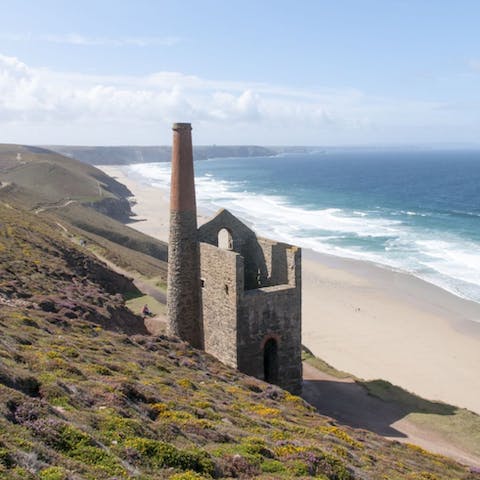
column 451, row 263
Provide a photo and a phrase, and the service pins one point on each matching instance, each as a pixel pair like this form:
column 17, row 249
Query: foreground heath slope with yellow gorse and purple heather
column 80, row 399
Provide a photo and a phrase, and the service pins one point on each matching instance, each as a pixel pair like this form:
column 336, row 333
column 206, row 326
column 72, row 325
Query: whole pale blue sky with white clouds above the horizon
column 341, row 72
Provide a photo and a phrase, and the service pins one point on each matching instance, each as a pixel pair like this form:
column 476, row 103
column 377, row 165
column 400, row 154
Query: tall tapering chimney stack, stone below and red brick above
column 184, row 288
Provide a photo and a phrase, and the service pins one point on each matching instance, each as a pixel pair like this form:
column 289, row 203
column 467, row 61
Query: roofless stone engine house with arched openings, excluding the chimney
column 251, row 293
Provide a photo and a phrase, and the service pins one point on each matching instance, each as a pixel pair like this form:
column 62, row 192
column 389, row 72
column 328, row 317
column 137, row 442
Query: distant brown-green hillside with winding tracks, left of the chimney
column 87, row 202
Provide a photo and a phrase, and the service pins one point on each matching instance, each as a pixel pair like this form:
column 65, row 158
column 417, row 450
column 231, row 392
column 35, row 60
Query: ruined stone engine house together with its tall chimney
column 231, row 293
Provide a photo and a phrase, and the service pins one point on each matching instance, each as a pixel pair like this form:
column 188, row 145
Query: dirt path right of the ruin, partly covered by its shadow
column 349, row 404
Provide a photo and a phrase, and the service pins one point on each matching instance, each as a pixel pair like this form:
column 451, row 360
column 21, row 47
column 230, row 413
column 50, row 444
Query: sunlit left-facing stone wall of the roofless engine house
column 222, row 275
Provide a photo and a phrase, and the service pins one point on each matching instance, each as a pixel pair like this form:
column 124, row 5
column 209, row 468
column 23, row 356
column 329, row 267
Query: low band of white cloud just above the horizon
column 45, row 106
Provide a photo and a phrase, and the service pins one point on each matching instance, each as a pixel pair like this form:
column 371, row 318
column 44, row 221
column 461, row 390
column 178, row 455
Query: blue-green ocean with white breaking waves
column 416, row 211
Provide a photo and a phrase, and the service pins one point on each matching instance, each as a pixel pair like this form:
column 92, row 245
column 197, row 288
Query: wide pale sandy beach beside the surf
column 368, row 320
